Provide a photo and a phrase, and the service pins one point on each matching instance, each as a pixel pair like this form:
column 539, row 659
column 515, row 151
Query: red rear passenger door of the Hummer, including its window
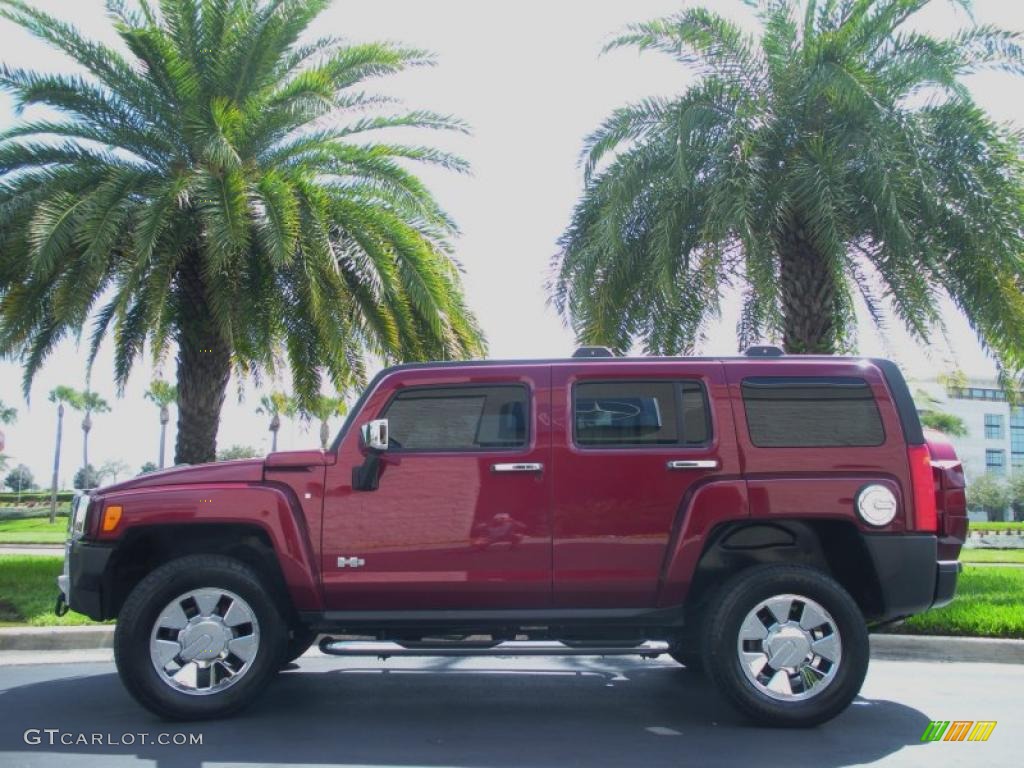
column 631, row 440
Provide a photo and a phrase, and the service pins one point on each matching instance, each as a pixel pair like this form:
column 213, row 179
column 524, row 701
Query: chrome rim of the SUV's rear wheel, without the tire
column 790, row 648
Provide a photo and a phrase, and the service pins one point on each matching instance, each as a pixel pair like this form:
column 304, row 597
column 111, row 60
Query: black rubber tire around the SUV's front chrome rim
column 143, row 609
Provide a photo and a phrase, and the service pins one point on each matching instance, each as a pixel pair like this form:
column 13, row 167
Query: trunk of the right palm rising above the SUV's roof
column 807, row 288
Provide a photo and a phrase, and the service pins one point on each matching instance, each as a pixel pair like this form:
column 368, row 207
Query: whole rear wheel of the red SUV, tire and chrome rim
column 786, row 645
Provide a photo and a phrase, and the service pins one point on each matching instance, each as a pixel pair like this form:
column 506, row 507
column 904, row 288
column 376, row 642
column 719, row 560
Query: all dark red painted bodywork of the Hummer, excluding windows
column 598, row 528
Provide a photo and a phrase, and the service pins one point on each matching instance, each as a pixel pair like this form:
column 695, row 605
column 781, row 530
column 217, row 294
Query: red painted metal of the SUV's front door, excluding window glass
column 428, row 533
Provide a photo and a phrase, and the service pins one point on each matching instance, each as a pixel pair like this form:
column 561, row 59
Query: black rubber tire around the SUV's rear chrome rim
column 721, row 631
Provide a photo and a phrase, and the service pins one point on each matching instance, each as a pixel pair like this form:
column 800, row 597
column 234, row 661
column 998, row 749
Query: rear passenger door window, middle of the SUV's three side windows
column 641, row 413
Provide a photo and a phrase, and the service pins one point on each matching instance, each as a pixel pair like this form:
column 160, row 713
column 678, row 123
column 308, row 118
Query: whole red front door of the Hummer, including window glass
column 460, row 520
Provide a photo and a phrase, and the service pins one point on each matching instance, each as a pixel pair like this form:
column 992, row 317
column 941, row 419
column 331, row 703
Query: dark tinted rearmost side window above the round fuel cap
column 812, row 412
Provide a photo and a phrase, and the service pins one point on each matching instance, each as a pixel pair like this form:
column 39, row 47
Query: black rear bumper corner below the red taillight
column 912, row 579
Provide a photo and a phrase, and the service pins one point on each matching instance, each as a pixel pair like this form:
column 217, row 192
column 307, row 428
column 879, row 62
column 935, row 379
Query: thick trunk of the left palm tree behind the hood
column 204, row 368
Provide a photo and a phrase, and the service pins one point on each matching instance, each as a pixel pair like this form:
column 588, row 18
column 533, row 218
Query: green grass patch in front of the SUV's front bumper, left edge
column 29, row 590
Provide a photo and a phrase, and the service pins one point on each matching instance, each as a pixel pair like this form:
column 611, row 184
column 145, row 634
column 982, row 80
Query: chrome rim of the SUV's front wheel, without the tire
column 204, row 642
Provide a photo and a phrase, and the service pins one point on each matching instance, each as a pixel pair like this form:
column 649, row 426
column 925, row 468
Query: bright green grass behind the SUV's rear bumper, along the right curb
column 990, row 603
